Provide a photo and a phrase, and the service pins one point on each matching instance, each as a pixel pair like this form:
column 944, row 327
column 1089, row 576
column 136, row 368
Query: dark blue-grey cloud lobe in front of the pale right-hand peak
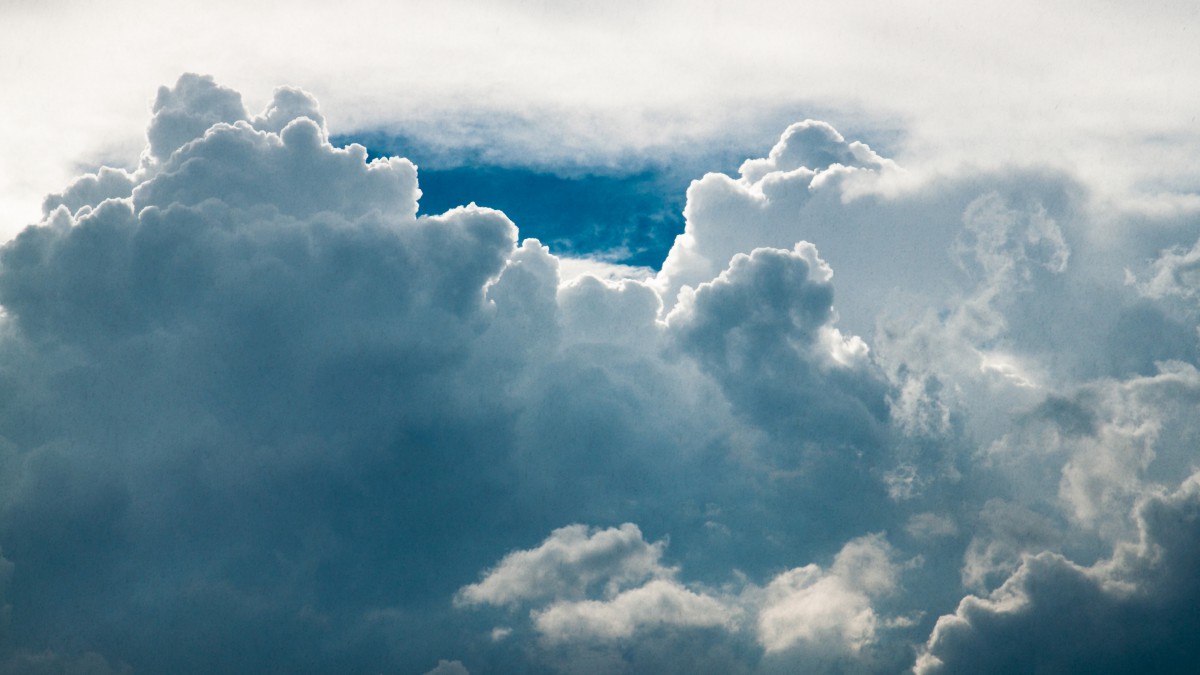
column 764, row 330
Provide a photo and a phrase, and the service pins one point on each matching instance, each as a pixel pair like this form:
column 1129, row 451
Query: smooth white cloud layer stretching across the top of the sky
column 915, row 68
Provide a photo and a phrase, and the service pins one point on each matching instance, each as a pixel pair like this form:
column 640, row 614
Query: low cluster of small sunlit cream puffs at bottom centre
column 605, row 586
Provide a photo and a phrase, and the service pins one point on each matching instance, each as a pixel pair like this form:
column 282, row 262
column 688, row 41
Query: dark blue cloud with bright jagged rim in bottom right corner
column 1130, row 614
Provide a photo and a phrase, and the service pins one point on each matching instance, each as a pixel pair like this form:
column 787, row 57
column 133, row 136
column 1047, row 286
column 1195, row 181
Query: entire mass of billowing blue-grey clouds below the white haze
column 257, row 409
